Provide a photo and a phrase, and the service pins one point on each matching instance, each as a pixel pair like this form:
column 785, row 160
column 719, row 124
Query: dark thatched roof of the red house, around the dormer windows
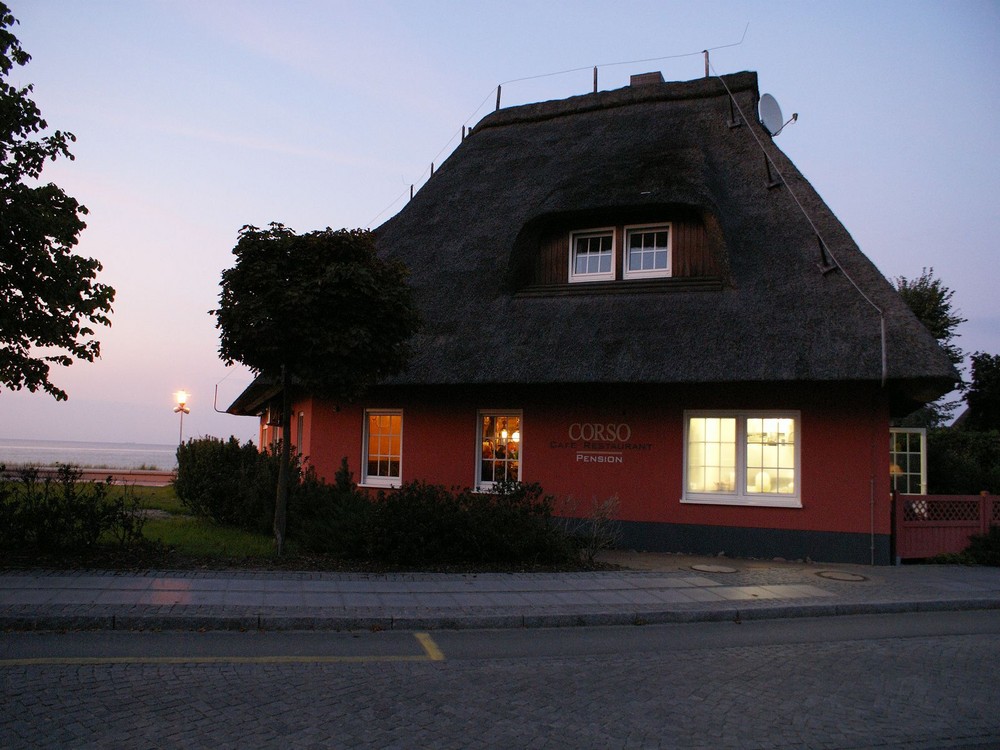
column 772, row 315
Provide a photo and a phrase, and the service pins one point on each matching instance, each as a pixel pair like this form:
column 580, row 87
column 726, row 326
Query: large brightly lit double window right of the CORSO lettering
column 742, row 458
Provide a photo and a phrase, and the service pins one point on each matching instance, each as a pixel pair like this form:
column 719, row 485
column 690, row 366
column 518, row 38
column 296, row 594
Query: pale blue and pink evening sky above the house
column 196, row 118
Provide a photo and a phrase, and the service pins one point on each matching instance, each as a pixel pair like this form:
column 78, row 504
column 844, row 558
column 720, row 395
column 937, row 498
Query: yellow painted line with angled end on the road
column 431, row 653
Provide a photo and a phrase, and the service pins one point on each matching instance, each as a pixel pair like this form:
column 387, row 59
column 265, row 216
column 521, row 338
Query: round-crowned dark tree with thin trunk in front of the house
column 321, row 311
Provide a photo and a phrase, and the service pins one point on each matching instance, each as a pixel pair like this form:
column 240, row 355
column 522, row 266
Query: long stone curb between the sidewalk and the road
column 194, row 622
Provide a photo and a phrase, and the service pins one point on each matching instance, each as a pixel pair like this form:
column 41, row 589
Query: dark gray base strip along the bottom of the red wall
column 820, row 546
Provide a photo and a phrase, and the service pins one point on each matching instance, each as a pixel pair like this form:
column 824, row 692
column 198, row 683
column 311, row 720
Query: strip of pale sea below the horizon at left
column 88, row 455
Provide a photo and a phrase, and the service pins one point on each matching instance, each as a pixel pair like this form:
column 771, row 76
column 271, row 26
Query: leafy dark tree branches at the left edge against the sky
column 50, row 297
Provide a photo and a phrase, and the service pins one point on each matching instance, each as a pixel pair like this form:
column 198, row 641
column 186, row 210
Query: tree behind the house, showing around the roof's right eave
column 930, row 301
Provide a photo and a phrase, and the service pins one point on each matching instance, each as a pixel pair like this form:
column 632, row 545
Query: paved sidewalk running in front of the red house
column 649, row 588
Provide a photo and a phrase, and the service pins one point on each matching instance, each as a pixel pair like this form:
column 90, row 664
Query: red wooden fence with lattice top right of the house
column 928, row 525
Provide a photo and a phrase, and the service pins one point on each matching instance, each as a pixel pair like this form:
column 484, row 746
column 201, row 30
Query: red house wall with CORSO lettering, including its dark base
column 843, row 433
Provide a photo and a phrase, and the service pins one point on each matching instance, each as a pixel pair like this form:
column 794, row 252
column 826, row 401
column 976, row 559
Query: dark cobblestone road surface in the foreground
column 914, row 693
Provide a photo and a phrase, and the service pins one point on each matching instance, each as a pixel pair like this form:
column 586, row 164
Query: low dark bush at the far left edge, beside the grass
column 65, row 515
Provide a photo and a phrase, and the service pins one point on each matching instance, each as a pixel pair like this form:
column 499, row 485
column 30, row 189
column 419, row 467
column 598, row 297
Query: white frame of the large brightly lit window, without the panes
column 740, row 495
